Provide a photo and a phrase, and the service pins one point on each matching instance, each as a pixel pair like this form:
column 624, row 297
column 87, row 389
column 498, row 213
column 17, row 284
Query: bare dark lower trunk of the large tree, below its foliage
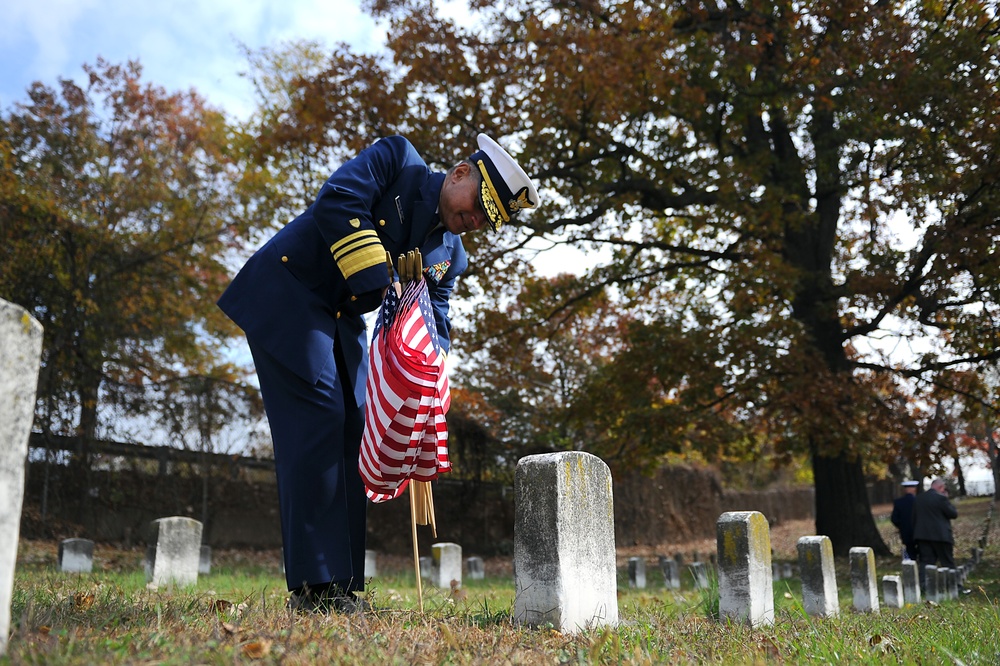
column 843, row 512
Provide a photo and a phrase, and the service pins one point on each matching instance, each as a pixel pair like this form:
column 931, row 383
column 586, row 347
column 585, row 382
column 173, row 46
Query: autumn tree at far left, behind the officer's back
column 117, row 213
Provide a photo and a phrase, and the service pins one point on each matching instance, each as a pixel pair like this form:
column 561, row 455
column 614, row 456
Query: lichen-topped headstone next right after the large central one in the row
column 746, row 592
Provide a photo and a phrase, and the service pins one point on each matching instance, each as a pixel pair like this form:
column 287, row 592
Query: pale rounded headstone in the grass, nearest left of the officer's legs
column 174, row 551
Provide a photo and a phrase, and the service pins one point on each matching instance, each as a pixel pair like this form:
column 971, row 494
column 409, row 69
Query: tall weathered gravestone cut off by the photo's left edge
column 20, row 353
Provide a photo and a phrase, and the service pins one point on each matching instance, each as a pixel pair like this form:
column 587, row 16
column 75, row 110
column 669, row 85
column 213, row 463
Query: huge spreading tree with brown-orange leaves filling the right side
column 789, row 193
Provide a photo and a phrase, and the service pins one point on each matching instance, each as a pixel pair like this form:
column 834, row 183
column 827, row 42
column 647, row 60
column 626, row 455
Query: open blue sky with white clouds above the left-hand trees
column 181, row 44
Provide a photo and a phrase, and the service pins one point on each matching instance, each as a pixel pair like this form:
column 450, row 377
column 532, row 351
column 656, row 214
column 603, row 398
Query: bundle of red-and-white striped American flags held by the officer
column 407, row 397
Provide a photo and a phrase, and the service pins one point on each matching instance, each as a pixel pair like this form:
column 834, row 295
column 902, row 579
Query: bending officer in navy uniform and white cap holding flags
column 300, row 301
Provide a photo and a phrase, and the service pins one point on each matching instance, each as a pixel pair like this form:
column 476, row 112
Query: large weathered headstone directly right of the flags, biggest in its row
column 564, row 542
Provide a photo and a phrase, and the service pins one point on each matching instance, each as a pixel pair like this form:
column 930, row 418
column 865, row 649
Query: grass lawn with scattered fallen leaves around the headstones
column 237, row 614
